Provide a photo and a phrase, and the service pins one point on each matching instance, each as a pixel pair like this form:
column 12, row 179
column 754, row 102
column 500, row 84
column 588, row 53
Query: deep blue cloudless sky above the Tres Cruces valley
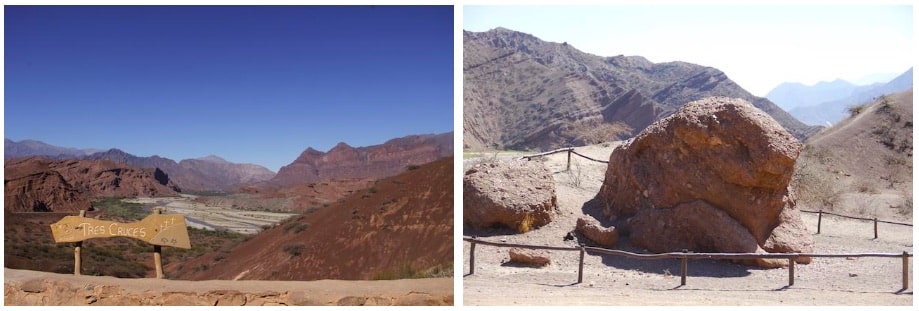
column 252, row 84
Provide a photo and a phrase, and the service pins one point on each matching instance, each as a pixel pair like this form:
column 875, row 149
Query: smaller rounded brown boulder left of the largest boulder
column 519, row 194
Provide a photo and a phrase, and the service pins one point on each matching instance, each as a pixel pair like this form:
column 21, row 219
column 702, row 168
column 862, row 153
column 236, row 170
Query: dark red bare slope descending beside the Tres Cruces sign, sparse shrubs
column 401, row 227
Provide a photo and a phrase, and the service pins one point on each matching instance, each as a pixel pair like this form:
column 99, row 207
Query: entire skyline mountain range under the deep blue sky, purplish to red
column 213, row 173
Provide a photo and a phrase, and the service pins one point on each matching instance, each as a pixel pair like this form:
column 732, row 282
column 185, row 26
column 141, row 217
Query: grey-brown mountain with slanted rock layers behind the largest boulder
column 524, row 93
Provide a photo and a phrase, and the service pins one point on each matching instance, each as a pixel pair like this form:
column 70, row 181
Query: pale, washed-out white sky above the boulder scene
column 757, row 46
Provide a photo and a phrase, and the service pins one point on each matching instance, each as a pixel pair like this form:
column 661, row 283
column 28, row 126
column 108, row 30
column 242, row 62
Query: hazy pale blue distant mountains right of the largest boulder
column 827, row 103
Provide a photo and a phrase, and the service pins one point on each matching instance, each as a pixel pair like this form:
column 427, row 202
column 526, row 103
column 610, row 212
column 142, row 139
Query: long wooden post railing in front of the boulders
column 685, row 256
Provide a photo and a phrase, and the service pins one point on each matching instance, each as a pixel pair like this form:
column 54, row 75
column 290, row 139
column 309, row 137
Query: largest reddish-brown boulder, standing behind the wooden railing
column 712, row 177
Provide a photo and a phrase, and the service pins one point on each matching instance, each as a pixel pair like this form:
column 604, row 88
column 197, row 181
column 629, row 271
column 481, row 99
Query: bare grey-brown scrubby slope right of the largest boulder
column 863, row 165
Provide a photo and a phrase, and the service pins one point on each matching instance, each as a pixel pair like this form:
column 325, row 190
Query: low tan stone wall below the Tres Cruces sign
column 31, row 288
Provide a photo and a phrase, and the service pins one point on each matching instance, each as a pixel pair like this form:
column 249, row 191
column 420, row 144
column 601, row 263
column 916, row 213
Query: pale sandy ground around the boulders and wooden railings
column 610, row 280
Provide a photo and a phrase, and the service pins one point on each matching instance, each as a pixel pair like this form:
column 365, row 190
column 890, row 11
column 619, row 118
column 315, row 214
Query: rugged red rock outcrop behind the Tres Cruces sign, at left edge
column 37, row 184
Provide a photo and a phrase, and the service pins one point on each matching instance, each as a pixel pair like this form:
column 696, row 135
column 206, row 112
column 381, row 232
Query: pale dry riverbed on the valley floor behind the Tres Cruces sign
column 202, row 216
